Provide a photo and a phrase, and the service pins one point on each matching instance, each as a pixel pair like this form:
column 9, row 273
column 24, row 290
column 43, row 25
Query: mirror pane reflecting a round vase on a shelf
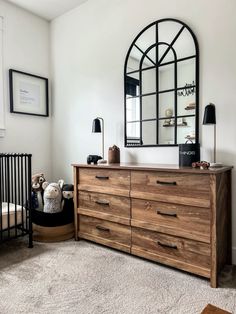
column 167, row 105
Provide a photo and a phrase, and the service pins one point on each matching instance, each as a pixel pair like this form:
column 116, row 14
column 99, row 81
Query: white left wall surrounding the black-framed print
column 26, row 48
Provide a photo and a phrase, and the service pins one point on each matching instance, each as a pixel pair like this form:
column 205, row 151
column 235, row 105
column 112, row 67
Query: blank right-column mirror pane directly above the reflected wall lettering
column 186, row 72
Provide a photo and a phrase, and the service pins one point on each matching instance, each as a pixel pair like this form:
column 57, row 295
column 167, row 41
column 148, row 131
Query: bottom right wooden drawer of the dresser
column 178, row 252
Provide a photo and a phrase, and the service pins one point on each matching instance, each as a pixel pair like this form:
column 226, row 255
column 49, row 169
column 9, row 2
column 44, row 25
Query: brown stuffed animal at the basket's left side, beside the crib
column 37, row 191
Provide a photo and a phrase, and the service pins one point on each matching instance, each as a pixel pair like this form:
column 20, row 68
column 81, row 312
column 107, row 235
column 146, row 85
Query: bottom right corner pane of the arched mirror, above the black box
column 187, row 131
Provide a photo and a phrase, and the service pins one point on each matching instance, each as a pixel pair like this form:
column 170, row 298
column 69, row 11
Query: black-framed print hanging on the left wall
column 16, row 106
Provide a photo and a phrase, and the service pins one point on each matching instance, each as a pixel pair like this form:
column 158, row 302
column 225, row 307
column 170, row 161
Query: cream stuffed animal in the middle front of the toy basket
column 52, row 197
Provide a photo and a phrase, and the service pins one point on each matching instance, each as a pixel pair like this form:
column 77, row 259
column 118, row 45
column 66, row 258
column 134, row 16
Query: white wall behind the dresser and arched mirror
column 89, row 45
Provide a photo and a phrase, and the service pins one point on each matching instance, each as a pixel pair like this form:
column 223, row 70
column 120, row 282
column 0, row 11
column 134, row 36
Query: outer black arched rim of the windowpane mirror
column 196, row 83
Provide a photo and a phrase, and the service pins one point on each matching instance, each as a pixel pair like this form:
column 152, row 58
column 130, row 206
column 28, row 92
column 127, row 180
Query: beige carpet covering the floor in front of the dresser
column 84, row 278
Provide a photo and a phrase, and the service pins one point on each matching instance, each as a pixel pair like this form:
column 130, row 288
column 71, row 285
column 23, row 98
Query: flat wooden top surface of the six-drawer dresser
column 154, row 167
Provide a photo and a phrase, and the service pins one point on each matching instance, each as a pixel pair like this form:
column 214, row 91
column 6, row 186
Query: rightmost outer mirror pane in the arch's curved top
column 184, row 45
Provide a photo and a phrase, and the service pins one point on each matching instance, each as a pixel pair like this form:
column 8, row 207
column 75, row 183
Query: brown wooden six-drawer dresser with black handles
column 179, row 217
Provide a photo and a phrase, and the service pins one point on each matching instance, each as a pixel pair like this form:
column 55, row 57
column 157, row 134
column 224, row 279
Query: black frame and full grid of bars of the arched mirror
column 139, row 142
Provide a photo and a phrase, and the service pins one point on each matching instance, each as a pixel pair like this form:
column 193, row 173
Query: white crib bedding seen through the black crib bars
column 13, row 219
